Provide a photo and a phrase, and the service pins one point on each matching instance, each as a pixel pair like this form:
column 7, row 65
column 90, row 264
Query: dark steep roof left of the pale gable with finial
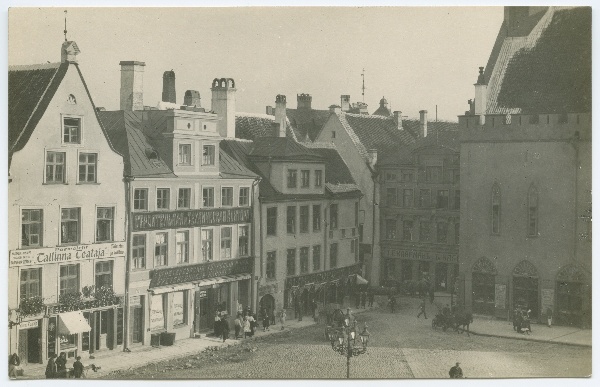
column 30, row 90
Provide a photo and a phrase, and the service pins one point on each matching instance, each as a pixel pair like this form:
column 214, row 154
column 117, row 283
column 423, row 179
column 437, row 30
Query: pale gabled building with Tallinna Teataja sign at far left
column 66, row 196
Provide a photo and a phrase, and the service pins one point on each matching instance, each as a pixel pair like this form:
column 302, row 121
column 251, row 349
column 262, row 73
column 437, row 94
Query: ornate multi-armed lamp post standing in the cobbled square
column 343, row 341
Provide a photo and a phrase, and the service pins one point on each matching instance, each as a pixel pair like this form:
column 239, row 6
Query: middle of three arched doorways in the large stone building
column 525, row 288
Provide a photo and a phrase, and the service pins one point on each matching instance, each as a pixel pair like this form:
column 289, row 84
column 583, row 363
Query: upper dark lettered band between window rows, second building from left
column 145, row 221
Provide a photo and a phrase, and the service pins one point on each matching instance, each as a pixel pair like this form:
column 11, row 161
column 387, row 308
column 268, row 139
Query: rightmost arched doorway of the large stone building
column 570, row 292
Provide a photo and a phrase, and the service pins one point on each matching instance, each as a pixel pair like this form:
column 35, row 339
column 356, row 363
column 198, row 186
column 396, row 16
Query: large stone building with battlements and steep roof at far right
column 526, row 170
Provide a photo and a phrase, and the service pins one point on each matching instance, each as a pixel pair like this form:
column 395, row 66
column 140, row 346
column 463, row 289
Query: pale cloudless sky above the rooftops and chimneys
column 416, row 57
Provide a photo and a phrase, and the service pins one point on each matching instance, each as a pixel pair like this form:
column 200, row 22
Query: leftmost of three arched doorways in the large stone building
column 483, row 286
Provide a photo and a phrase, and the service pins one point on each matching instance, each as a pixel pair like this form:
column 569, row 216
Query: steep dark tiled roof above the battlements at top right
column 549, row 70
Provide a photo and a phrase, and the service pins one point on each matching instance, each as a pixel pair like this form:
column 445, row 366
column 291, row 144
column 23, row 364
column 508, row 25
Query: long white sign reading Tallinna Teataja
column 65, row 254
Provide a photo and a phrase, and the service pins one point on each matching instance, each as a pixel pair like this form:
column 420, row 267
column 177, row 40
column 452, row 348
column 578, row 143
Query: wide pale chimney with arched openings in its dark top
column 223, row 104
